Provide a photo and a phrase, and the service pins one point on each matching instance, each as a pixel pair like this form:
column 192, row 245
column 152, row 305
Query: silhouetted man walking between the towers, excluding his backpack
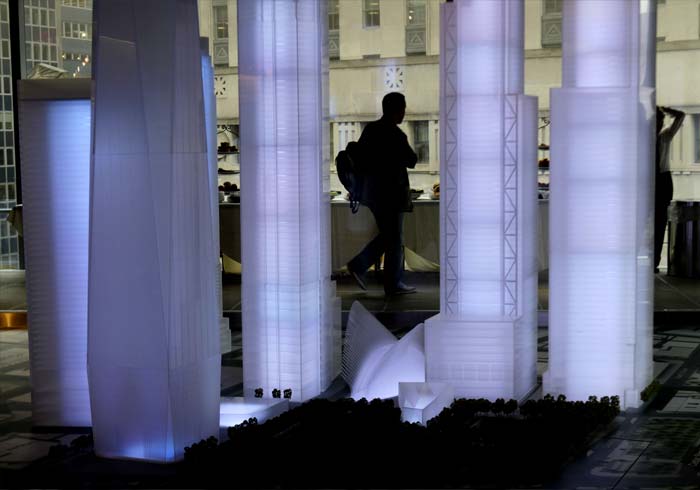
column 387, row 193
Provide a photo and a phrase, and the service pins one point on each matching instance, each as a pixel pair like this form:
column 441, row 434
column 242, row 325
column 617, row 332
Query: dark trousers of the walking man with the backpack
column 389, row 242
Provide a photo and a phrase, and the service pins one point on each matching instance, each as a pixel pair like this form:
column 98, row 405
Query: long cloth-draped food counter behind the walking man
column 351, row 232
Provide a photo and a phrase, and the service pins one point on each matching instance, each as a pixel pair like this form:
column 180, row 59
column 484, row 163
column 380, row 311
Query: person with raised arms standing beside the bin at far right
column 664, row 182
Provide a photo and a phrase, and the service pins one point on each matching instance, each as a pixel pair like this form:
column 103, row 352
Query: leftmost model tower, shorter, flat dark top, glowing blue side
column 54, row 123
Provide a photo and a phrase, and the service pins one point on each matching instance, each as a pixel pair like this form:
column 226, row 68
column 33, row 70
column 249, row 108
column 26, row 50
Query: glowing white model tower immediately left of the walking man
column 287, row 293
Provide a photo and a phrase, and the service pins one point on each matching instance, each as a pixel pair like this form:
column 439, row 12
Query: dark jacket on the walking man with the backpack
column 386, row 156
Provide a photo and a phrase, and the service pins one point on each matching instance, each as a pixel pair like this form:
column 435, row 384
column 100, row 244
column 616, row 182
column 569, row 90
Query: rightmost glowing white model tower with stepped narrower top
column 601, row 214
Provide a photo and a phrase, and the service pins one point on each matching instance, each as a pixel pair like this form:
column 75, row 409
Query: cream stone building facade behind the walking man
column 379, row 46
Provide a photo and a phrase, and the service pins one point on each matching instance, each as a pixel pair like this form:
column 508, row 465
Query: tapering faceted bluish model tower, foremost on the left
column 153, row 315
